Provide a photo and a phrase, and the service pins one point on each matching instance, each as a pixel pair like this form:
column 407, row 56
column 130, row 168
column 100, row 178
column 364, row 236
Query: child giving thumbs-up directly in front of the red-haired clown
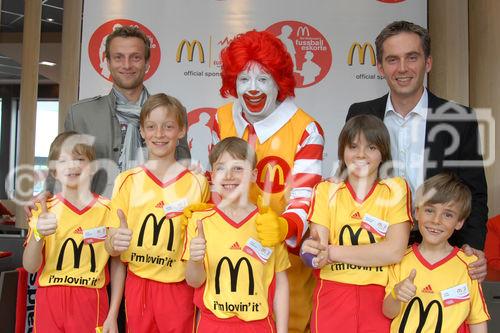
column 241, row 286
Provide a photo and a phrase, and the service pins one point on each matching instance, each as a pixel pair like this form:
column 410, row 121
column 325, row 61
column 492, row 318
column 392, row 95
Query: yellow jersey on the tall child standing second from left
column 153, row 212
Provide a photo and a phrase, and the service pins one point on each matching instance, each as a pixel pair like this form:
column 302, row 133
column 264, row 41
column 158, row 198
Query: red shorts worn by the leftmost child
column 70, row 309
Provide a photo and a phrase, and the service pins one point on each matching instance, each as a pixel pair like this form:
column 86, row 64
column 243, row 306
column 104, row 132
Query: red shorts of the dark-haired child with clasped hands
column 348, row 308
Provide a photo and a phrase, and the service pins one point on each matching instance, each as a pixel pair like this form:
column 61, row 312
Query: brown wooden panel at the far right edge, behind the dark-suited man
column 485, row 81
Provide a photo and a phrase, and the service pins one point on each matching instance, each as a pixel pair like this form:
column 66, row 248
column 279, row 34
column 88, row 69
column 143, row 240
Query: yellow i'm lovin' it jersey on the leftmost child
column 67, row 261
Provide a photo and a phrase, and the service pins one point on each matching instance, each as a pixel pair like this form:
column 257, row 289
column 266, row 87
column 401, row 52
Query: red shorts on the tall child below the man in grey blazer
column 153, row 306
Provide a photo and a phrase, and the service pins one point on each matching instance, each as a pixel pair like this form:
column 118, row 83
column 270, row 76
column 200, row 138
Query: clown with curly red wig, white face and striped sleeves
column 258, row 72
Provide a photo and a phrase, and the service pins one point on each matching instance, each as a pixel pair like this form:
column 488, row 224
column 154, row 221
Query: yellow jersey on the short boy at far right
column 446, row 295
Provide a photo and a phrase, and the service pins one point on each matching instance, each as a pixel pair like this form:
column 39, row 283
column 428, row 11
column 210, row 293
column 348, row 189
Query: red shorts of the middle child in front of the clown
column 209, row 323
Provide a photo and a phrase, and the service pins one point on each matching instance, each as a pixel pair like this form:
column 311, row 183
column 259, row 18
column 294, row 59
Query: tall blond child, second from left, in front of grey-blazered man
column 147, row 203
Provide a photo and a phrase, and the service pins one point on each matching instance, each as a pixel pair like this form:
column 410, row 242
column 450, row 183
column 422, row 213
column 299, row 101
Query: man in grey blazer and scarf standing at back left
column 113, row 120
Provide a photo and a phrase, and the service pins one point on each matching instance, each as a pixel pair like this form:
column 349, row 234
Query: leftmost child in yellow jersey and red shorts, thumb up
column 65, row 244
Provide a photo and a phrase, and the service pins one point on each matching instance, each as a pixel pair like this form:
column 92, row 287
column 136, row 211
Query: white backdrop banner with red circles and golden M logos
column 331, row 43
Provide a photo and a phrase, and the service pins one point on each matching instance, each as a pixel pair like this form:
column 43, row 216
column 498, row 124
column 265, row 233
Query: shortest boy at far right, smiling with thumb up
column 430, row 290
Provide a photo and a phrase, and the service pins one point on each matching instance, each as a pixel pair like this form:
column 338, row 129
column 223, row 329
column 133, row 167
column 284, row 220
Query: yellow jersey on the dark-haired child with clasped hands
column 336, row 207
